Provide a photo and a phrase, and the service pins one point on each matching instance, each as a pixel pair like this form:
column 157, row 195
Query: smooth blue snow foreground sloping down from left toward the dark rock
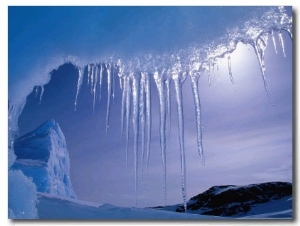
column 54, row 207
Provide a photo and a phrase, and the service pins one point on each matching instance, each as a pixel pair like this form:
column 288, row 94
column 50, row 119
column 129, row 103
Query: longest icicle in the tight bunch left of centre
column 135, row 120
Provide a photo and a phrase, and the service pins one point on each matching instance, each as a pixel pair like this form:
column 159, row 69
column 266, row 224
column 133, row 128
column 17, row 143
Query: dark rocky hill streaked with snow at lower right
column 232, row 200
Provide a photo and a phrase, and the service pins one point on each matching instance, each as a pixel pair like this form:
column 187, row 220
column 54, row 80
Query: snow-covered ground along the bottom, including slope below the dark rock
column 55, row 207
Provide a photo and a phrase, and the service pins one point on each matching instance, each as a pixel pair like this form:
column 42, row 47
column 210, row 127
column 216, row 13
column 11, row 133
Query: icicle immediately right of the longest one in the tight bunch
column 142, row 116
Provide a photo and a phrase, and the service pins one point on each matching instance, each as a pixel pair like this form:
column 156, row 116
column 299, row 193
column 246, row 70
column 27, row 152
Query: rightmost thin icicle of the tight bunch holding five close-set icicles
column 148, row 117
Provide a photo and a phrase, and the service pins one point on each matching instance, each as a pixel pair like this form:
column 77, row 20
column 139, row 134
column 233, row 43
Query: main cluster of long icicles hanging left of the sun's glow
column 136, row 109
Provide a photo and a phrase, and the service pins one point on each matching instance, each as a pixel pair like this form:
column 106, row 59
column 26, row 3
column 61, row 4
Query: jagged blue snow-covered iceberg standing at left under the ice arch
column 42, row 155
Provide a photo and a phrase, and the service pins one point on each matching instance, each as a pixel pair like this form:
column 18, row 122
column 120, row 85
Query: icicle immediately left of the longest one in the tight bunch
column 127, row 115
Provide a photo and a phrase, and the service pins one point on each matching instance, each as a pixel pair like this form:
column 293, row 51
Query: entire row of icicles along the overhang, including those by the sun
column 136, row 99
